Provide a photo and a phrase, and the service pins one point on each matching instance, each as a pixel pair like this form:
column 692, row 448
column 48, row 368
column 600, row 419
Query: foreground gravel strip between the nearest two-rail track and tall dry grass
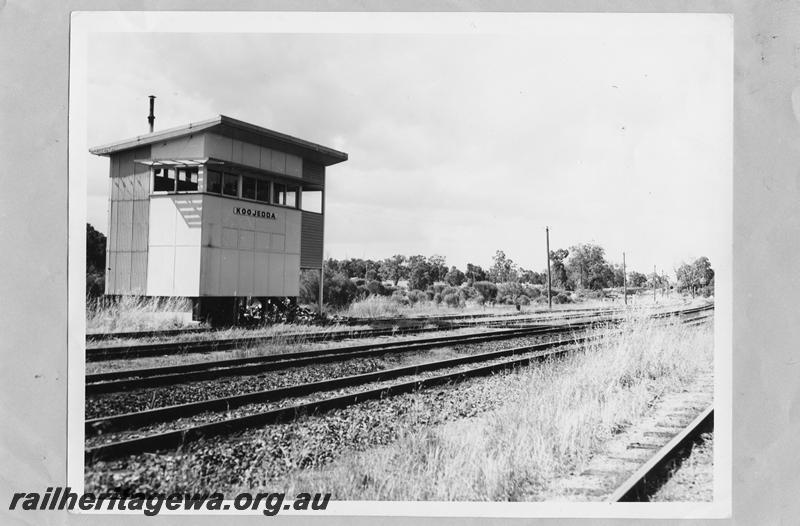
column 309, row 441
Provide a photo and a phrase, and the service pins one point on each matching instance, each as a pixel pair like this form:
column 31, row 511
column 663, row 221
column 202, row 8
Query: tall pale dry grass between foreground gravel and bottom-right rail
column 552, row 419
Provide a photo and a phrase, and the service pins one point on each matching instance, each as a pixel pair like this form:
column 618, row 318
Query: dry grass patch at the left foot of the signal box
column 137, row 313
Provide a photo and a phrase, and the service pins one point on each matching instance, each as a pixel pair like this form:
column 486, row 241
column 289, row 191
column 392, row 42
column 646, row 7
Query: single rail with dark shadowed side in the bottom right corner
column 651, row 476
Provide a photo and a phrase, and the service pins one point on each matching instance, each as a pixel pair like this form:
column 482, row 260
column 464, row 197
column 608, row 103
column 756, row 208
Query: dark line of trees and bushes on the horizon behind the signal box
column 582, row 267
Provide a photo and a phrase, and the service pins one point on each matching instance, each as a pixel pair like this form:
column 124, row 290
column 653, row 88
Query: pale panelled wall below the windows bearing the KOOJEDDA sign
column 249, row 249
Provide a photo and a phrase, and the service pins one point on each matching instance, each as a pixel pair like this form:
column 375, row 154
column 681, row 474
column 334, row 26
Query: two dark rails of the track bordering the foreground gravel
column 503, row 359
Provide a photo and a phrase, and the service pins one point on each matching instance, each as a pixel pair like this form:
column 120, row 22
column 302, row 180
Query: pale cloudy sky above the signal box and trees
column 609, row 129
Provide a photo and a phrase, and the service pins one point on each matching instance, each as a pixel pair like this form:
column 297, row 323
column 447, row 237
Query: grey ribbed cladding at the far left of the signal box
column 126, row 264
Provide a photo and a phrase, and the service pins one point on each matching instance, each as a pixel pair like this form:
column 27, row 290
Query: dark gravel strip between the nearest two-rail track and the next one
column 110, row 404
